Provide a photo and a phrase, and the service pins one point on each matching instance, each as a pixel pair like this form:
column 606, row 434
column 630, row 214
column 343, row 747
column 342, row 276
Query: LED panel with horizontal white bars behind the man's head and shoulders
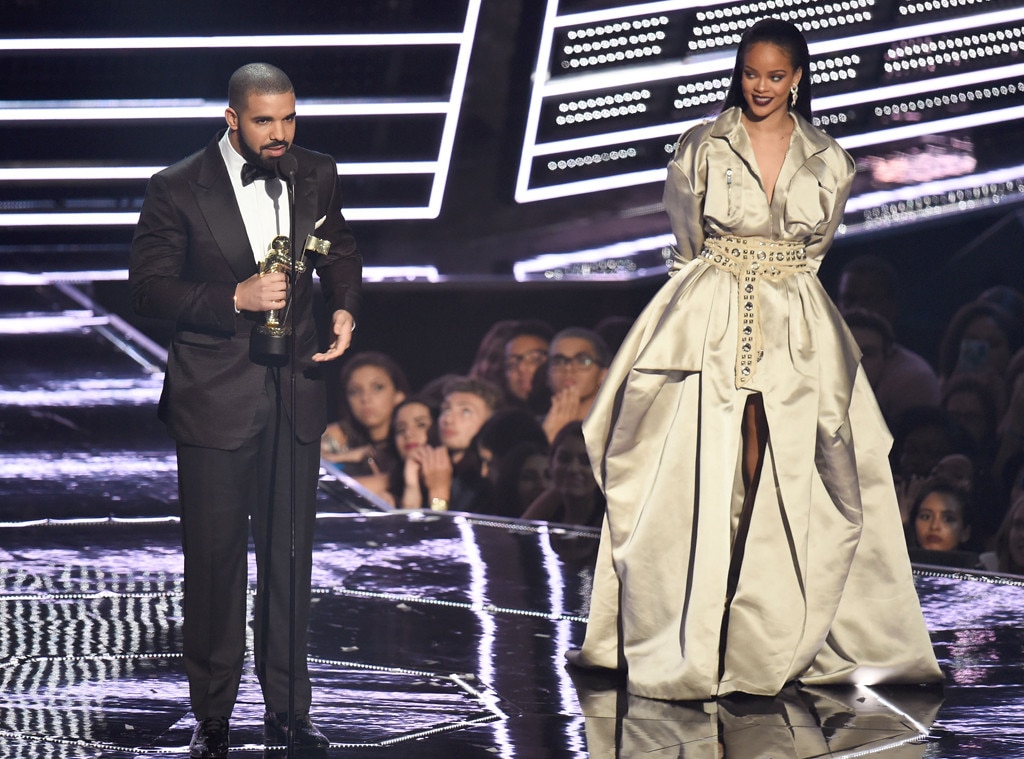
column 79, row 146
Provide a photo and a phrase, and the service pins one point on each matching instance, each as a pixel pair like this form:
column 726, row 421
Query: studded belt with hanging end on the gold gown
column 751, row 260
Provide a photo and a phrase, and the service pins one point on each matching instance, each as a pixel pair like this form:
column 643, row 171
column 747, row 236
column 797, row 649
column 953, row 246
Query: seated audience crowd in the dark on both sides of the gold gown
column 505, row 438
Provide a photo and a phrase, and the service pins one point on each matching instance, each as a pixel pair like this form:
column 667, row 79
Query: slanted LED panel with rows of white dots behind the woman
column 919, row 93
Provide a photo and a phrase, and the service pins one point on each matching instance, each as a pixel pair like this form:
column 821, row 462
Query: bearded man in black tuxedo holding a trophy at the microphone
column 205, row 225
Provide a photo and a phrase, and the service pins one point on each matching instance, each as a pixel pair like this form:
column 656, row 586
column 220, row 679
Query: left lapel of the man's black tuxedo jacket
column 217, row 201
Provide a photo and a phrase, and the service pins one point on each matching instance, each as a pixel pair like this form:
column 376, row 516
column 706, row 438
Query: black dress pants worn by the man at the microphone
column 222, row 493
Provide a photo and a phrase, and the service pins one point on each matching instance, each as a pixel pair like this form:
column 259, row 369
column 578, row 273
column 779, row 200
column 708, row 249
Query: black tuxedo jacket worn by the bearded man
column 190, row 251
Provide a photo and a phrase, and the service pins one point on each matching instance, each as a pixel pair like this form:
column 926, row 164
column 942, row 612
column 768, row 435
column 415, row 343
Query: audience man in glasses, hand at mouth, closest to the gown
column 578, row 363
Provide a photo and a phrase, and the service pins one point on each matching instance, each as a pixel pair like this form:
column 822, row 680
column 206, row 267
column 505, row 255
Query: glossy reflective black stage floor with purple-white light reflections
column 433, row 636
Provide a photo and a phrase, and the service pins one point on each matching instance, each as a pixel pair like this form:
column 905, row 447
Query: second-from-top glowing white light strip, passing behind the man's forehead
column 25, row 111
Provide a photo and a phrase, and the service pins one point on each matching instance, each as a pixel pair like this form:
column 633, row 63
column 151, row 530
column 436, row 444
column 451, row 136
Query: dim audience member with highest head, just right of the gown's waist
column 904, row 379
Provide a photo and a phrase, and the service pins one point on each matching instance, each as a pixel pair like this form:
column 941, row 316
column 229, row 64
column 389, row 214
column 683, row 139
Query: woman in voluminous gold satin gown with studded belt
column 753, row 537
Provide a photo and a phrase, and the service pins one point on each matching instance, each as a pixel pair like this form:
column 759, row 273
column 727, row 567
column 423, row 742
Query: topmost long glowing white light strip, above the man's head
column 230, row 41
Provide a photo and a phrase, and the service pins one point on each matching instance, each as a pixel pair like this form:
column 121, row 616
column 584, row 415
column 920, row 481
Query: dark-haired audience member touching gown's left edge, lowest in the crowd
column 574, row 497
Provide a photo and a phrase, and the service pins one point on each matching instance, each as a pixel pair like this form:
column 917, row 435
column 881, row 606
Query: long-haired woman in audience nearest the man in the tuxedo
column 372, row 385
